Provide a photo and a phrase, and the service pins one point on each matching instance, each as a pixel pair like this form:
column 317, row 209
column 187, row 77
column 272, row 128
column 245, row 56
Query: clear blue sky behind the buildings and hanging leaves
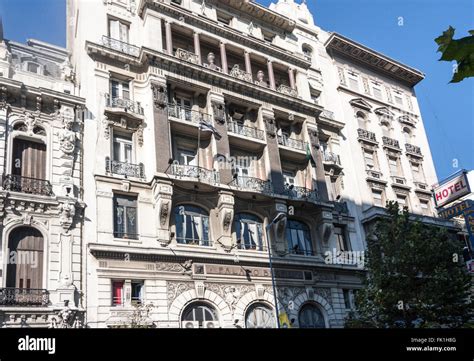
column 447, row 109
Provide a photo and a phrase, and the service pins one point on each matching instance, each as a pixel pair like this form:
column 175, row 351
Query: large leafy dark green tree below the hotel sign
column 414, row 279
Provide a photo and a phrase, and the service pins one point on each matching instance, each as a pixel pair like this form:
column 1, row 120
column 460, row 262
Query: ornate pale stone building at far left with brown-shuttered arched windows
column 41, row 190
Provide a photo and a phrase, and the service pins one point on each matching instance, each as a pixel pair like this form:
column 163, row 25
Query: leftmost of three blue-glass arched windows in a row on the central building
column 192, row 225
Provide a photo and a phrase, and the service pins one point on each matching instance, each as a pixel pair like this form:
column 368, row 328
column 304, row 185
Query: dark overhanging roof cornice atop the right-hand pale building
column 374, row 60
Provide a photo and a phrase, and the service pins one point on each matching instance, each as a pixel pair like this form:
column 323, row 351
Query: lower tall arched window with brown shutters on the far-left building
column 26, row 245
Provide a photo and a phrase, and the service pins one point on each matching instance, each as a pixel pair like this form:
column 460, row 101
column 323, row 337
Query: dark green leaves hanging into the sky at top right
column 460, row 50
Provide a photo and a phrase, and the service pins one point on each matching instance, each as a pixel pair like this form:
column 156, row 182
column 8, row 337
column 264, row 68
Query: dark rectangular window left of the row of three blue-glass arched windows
column 125, row 217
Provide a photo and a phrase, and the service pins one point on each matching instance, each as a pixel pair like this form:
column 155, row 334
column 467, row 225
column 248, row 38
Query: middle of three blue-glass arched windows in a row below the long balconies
column 249, row 231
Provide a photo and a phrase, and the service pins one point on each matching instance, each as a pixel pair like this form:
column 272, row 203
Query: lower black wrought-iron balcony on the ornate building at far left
column 23, row 297
